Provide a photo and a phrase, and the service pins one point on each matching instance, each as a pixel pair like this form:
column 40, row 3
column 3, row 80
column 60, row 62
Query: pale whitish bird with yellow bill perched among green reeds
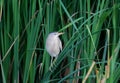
column 53, row 44
